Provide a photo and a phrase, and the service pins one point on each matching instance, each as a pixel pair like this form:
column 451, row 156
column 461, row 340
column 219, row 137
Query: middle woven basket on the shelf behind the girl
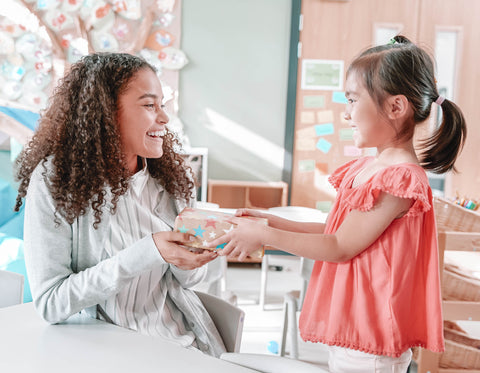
column 458, row 285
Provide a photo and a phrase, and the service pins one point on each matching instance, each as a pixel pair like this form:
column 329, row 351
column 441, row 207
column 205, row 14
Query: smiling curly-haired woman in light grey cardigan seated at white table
column 104, row 187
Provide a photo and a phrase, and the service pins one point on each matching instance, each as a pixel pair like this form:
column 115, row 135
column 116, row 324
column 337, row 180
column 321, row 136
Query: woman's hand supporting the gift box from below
column 169, row 246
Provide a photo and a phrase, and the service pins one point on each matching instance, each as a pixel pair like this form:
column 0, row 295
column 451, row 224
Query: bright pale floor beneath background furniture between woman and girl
column 262, row 328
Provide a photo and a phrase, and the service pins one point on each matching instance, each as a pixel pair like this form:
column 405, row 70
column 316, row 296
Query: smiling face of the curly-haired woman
column 141, row 118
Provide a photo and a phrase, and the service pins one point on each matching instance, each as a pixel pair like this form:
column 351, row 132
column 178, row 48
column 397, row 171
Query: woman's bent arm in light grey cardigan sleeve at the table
column 56, row 260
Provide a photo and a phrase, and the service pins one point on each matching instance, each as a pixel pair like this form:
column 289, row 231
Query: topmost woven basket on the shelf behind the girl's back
column 453, row 217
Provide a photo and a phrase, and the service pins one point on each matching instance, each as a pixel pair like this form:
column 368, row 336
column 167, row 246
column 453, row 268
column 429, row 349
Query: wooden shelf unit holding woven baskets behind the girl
column 458, row 230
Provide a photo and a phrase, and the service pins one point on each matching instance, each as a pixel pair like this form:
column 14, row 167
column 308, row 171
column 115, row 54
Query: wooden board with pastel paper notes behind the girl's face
column 322, row 137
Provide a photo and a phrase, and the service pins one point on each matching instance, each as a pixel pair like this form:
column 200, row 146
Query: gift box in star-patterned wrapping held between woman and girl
column 207, row 225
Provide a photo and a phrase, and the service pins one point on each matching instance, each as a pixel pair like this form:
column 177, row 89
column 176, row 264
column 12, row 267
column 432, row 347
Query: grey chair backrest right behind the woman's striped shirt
column 227, row 318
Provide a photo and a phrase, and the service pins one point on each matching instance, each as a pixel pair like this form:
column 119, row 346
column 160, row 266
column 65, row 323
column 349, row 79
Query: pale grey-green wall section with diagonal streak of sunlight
column 233, row 92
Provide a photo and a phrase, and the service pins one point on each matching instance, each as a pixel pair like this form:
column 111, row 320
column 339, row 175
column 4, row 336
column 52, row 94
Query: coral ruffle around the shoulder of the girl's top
column 405, row 181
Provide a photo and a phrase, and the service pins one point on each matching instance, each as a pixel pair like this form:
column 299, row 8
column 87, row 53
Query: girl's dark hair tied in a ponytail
column 402, row 68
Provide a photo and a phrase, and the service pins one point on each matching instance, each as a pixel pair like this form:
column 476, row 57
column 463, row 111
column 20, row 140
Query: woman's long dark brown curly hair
column 79, row 132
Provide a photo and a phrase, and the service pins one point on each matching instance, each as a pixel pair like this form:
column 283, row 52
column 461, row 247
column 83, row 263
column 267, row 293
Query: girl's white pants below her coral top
column 345, row 360
